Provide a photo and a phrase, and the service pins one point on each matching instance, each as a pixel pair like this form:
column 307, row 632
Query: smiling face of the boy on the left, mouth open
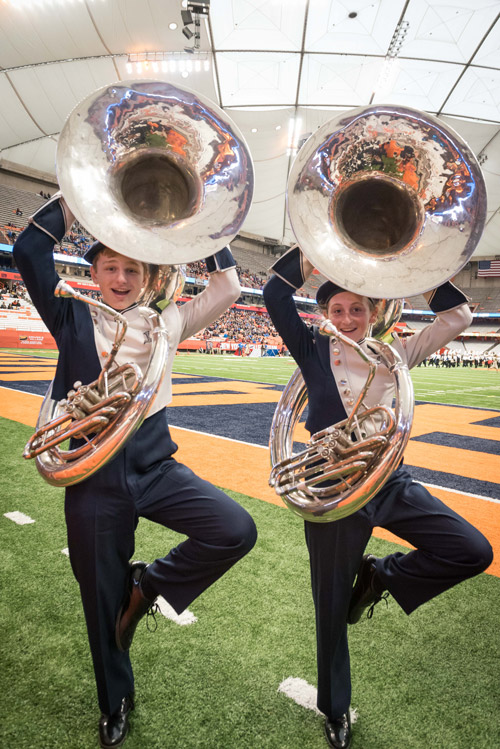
column 120, row 279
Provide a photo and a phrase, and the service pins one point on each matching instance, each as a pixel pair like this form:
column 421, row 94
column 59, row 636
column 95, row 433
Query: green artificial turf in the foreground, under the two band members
column 429, row 680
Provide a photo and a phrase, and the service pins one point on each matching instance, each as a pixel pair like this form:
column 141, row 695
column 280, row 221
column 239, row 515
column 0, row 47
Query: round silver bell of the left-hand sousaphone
column 156, row 172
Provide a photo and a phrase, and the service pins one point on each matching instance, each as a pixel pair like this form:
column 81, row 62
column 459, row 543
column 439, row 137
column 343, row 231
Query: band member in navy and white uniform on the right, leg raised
column 344, row 581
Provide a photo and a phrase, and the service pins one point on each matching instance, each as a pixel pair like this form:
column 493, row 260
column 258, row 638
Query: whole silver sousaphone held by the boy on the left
column 162, row 175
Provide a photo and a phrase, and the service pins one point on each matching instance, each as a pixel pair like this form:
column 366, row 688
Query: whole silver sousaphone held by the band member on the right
column 386, row 202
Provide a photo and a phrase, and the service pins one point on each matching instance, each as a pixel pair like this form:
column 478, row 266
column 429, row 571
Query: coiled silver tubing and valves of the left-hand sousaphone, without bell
column 102, row 415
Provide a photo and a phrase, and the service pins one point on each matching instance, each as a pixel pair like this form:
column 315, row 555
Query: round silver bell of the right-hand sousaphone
column 386, row 201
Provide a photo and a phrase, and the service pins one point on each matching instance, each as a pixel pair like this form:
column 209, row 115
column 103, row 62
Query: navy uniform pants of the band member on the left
column 102, row 513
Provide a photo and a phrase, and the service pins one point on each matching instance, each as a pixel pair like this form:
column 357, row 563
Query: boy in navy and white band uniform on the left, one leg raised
column 143, row 479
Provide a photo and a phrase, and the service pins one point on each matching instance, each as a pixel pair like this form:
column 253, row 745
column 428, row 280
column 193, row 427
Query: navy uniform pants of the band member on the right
column 448, row 550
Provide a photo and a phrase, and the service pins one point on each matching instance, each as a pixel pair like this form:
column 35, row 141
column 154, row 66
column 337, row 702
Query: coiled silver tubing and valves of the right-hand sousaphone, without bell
column 355, row 456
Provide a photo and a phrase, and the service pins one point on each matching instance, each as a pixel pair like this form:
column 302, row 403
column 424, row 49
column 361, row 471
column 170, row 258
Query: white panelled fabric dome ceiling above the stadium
column 271, row 60
